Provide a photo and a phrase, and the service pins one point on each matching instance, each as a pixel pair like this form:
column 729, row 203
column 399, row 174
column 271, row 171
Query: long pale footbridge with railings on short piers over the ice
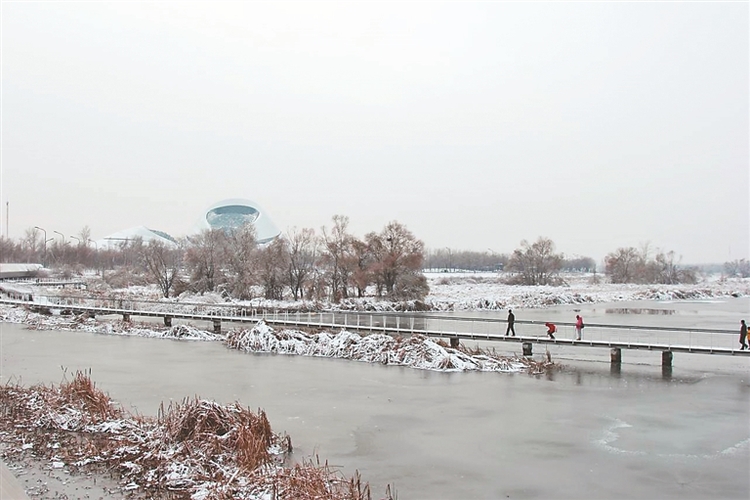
column 665, row 340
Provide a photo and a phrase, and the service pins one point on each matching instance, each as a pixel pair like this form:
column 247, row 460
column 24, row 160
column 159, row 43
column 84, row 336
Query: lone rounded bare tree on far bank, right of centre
column 537, row 263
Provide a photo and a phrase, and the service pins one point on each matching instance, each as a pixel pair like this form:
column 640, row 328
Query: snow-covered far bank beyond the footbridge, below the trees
column 461, row 292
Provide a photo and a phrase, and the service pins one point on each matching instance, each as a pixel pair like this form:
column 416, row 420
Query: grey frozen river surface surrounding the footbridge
column 583, row 432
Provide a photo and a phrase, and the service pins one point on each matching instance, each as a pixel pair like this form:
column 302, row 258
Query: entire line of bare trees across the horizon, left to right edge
column 332, row 264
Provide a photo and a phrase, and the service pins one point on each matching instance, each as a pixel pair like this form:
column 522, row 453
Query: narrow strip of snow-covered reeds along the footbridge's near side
column 416, row 351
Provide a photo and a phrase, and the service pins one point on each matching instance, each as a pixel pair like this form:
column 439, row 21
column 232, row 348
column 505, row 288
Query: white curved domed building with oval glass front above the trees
column 234, row 213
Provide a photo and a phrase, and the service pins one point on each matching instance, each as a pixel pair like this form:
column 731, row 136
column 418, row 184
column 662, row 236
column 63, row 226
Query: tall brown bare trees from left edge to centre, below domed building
column 302, row 264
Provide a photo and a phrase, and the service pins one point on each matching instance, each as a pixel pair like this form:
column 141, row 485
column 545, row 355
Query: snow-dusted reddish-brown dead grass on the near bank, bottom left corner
column 194, row 449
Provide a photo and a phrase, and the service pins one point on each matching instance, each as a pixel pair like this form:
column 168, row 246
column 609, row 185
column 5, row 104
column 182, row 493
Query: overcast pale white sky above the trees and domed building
column 476, row 125
